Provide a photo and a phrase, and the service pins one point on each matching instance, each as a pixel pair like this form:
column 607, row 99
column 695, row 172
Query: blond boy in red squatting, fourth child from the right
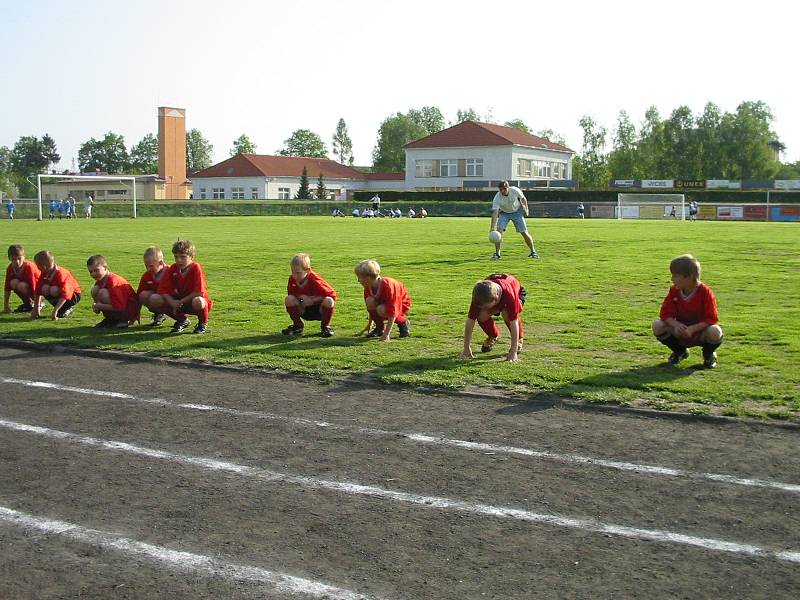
column 308, row 297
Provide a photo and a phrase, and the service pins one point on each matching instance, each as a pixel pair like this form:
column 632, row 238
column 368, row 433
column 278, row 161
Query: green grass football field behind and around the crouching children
column 591, row 300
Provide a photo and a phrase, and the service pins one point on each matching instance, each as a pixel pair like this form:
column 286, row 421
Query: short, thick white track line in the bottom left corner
column 183, row 561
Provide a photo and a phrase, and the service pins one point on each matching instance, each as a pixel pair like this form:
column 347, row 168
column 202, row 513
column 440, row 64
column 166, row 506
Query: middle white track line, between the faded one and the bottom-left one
column 442, row 503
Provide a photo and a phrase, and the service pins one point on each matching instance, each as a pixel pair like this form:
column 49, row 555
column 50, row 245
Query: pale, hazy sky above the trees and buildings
column 79, row 69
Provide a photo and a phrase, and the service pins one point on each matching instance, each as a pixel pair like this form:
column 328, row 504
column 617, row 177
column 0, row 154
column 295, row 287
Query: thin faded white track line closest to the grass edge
column 427, row 439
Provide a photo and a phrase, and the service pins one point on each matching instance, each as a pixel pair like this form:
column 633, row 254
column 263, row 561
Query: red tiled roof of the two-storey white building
column 473, row 133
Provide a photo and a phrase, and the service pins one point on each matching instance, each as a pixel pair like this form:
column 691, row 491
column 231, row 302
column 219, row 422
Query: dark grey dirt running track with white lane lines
column 283, row 496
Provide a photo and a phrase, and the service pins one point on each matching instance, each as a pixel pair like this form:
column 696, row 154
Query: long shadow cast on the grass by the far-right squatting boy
column 637, row 378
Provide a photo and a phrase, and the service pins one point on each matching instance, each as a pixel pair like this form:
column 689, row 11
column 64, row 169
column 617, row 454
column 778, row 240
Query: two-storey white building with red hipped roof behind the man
column 478, row 155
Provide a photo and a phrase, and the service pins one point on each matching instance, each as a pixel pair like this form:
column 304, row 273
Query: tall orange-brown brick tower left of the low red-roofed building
column 172, row 152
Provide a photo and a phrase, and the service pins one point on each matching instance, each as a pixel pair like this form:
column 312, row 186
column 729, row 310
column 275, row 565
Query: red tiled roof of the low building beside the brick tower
column 263, row 165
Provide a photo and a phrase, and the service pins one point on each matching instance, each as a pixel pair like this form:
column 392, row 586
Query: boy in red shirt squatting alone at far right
column 689, row 314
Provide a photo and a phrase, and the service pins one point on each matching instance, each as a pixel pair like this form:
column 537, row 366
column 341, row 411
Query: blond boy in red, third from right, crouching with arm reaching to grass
column 386, row 299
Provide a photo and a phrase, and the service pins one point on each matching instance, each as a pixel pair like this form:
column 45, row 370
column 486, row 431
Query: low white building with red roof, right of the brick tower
column 259, row 176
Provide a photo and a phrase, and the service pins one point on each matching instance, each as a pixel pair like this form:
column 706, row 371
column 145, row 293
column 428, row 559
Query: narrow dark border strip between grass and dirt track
column 366, row 381
